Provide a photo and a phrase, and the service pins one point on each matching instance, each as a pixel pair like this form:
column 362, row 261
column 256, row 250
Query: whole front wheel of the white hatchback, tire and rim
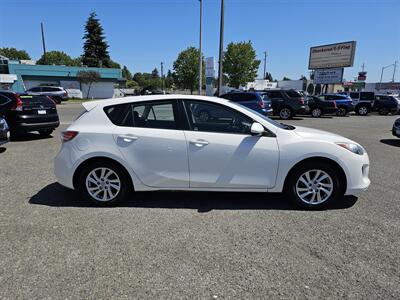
column 314, row 186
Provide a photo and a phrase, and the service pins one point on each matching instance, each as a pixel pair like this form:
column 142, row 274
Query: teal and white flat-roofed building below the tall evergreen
column 20, row 76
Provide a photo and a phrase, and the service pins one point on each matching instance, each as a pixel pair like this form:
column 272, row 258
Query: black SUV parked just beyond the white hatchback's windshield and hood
column 287, row 103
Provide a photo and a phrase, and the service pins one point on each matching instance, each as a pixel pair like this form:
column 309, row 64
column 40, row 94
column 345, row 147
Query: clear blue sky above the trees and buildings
column 142, row 33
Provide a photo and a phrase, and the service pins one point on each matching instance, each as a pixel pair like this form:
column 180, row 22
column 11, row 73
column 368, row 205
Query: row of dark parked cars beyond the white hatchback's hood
column 288, row 103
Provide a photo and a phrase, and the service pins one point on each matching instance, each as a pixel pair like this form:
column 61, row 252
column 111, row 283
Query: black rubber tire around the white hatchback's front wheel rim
column 292, row 193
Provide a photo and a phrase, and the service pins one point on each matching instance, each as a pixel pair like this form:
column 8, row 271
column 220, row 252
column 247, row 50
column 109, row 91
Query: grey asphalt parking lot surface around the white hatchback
column 198, row 245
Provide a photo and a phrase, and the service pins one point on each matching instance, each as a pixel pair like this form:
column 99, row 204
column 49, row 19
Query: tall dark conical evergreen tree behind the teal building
column 95, row 47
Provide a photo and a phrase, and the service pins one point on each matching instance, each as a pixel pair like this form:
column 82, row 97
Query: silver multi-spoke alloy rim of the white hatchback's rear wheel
column 103, row 184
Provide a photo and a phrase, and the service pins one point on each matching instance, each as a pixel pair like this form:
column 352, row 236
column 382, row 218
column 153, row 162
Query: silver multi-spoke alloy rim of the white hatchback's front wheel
column 314, row 187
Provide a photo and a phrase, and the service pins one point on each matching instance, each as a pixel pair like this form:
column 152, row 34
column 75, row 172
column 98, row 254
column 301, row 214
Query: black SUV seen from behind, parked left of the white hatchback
column 26, row 113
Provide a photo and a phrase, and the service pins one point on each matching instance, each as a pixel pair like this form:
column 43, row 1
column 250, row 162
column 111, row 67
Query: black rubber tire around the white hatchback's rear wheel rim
column 126, row 187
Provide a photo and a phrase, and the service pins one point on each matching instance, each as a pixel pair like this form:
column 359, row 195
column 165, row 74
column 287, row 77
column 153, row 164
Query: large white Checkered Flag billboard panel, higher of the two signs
column 338, row 55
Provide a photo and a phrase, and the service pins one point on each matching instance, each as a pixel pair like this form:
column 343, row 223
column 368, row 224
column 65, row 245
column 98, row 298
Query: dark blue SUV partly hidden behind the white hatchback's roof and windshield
column 252, row 100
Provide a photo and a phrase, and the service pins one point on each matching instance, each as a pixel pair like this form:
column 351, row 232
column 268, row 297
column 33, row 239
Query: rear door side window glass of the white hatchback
column 161, row 115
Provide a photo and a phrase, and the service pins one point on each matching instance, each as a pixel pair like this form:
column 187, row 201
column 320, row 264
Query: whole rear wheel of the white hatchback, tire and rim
column 104, row 183
